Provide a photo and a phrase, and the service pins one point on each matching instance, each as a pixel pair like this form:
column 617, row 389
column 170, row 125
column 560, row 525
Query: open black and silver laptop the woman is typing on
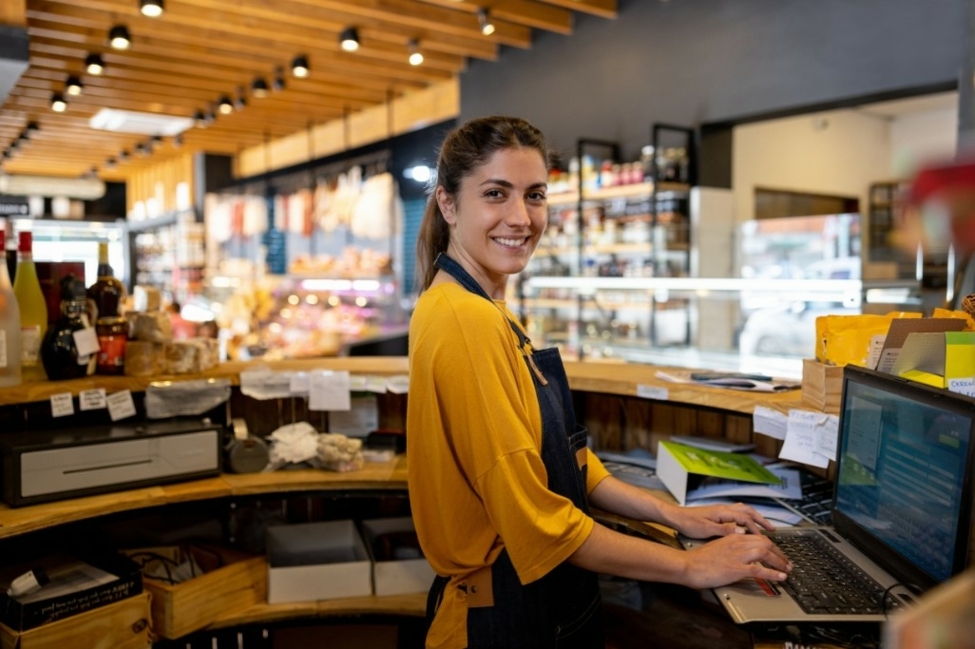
column 902, row 507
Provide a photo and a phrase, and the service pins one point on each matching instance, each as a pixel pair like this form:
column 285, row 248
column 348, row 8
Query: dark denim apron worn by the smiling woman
column 562, row 609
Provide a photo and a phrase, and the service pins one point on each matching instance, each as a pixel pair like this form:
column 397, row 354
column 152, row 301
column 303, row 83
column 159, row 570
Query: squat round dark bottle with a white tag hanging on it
column 70, row 348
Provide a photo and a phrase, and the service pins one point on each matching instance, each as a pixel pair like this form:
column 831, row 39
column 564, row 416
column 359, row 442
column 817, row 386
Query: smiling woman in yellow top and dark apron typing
column 500, row 477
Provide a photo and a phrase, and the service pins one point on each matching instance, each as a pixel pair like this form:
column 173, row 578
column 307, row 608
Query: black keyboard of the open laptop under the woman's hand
column 824, row 581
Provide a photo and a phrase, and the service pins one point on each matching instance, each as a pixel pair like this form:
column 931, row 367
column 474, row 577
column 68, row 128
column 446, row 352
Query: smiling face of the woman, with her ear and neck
column 497, row 216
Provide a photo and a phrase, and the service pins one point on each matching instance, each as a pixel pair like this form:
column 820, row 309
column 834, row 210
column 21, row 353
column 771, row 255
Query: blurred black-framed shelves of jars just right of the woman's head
column 607, row 226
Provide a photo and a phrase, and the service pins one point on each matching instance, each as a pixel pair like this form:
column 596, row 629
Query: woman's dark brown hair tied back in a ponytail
column 465, row 149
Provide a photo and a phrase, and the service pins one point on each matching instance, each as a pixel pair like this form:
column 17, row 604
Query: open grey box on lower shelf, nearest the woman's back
column 390, row 537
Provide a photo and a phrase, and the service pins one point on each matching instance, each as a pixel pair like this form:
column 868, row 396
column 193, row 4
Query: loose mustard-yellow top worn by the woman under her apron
column 474, row 434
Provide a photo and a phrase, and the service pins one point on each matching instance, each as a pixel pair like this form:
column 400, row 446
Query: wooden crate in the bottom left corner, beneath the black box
column 120, row 625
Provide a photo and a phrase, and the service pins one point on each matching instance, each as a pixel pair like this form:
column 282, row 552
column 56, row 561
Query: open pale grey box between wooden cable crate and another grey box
column 313, row 561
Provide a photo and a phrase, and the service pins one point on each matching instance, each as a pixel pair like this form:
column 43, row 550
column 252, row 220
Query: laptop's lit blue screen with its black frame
column 903, row 478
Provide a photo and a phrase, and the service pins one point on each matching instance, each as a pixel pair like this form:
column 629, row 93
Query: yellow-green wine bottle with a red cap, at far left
column 33, row 310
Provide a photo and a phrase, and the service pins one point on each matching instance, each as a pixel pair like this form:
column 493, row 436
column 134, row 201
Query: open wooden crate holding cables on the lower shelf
column 191, row 605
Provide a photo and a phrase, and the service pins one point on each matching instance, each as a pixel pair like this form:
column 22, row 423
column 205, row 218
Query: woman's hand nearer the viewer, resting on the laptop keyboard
column 734, row 557
